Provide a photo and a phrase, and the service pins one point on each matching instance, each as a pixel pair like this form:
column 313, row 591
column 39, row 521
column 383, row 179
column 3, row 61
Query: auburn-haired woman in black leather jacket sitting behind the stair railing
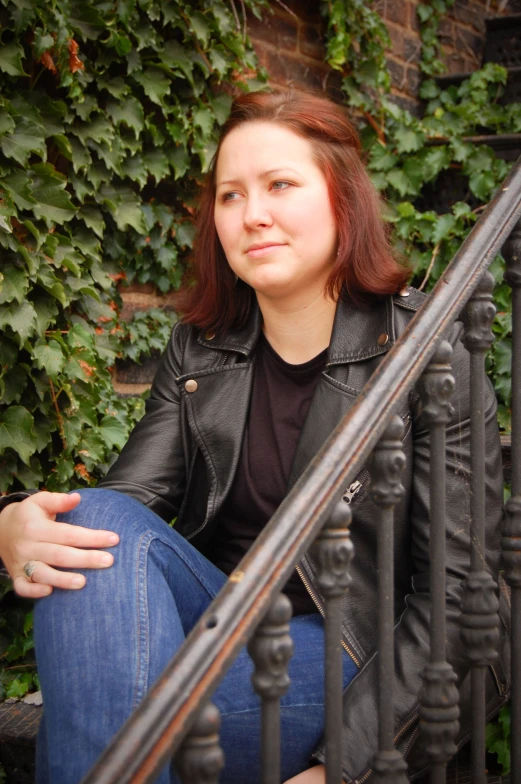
column 297, row 298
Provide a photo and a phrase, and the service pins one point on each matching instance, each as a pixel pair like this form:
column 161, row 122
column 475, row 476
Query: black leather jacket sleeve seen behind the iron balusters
column 360, row 712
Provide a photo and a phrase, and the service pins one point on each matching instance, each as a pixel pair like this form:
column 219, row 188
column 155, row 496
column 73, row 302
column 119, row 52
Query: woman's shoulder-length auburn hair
column 366, row 266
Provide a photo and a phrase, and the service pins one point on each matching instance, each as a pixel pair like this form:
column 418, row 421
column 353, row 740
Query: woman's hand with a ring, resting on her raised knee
column 29, row 532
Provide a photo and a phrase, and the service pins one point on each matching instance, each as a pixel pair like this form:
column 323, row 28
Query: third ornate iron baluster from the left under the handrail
column 332, row 552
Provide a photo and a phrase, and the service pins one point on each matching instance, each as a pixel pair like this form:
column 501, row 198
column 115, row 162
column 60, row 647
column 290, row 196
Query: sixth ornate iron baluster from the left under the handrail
column 479, row 619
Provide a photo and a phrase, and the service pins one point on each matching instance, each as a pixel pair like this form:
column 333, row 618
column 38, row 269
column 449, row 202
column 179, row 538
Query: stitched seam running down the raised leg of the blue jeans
column 143, row 632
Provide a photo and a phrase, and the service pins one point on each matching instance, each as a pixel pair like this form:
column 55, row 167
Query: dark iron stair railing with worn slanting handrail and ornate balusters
column 175, row 718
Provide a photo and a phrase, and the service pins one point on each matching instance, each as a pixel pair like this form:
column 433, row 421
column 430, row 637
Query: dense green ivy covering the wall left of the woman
column 108, row 114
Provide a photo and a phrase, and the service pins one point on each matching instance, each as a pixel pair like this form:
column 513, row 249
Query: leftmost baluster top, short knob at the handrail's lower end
column 200, row 758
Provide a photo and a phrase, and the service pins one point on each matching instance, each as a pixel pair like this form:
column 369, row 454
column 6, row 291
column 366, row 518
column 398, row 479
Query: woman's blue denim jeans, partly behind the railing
column 101, row 648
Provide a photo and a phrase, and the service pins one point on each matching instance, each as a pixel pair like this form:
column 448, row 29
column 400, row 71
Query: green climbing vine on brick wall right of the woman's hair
column 410, row 157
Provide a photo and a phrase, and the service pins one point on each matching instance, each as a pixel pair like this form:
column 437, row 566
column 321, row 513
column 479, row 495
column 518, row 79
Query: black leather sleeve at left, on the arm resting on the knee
column 151, row 466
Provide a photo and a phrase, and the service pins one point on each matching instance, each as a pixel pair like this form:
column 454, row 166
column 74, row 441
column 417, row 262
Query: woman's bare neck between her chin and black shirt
column 301, row 331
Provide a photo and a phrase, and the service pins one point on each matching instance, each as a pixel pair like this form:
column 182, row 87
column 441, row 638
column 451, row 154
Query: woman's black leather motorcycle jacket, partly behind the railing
column 182, row 457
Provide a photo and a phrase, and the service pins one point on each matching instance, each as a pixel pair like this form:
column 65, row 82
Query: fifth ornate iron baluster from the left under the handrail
column 439, row 710
